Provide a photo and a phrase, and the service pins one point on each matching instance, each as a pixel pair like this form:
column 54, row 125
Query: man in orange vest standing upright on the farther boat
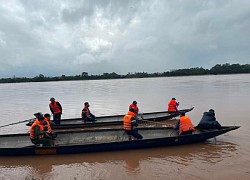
column 56, row 110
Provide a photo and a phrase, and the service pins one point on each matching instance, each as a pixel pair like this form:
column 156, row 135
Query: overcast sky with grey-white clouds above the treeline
column 69, row 37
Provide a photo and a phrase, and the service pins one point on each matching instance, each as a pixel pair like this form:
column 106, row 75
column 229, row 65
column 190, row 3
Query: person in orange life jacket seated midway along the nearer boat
column 129, row 122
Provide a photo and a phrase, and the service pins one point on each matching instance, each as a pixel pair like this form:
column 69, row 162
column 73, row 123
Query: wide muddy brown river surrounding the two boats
column 226, row 157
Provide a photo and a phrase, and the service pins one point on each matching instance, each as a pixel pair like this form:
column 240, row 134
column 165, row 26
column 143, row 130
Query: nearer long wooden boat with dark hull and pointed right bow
column 85, row 141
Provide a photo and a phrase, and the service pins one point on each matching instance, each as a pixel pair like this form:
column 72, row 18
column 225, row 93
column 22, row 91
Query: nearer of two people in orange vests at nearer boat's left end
column 37, row 133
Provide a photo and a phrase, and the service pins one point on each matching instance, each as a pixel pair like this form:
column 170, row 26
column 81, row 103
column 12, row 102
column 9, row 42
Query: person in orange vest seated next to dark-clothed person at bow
column 184, row 125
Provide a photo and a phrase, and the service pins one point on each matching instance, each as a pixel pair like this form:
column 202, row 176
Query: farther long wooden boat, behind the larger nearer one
column 114, row 120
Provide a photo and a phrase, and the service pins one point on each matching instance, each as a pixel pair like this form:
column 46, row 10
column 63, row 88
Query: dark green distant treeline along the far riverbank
column 217, row 69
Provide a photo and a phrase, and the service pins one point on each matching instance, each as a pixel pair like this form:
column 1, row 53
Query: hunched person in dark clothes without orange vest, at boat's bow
column 208, row 121
